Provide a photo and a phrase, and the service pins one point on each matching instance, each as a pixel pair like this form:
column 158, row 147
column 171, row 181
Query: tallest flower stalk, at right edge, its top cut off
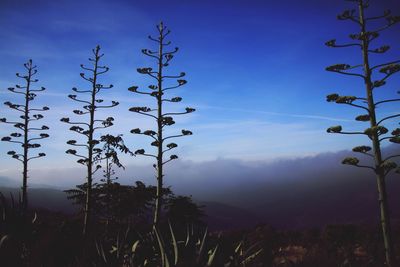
column 376, row 132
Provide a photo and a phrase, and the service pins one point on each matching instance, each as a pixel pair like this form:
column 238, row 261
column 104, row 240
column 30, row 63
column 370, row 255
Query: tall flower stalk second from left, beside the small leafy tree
column 88, row 129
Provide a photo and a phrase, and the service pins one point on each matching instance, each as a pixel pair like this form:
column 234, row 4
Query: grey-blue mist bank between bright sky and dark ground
column 297, row 192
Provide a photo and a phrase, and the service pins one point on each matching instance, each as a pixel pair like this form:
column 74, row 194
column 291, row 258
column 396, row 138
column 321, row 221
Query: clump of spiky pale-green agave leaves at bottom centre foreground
column 196, row 248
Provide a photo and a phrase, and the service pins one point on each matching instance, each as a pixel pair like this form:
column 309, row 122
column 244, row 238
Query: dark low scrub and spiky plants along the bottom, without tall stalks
column 45, row 238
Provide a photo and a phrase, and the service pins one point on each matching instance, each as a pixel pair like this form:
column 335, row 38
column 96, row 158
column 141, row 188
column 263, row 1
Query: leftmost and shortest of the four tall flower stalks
column 23, row 126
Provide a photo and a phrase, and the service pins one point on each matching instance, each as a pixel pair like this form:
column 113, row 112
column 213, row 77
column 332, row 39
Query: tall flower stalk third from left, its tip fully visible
column 163, row 120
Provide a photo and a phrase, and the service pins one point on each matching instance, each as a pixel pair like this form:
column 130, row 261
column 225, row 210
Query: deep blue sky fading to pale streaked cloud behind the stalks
column 255, row 71
